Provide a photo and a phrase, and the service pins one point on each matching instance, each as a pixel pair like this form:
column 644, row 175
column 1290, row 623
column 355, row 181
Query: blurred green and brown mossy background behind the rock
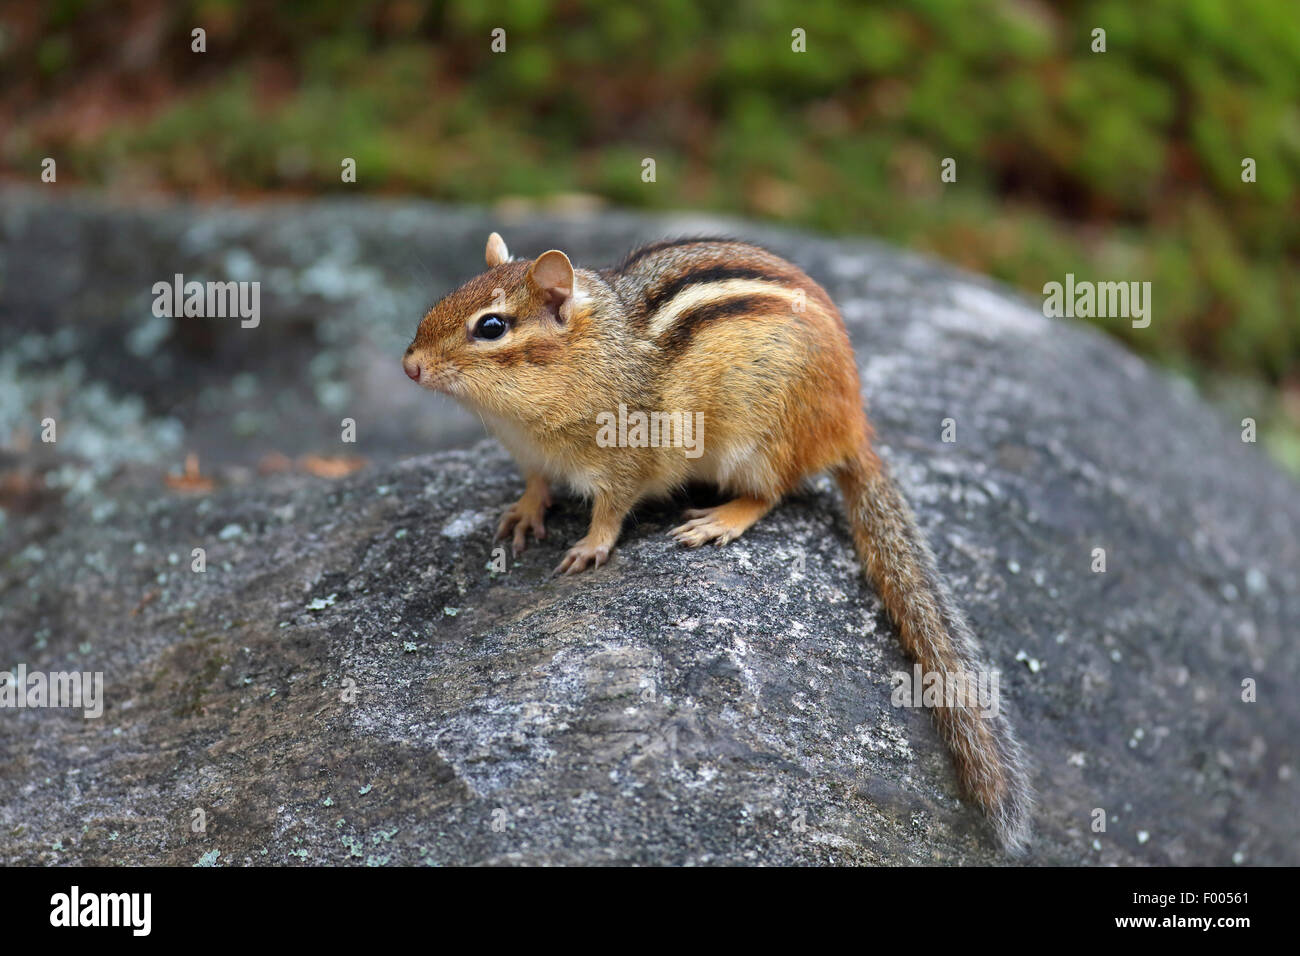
column 1116, row 166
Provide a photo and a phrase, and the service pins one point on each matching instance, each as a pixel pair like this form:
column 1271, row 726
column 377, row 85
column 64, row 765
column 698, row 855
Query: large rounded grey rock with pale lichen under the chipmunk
column 350, row 682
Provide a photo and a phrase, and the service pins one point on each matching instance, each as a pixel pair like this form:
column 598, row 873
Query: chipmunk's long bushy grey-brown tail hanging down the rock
column 934, row 633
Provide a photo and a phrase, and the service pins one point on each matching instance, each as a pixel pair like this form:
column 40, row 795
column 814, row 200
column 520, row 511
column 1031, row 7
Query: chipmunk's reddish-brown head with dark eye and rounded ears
column 502, row 341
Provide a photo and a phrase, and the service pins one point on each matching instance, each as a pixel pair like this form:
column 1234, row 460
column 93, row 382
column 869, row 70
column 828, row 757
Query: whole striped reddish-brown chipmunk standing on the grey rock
column 540, row 349
